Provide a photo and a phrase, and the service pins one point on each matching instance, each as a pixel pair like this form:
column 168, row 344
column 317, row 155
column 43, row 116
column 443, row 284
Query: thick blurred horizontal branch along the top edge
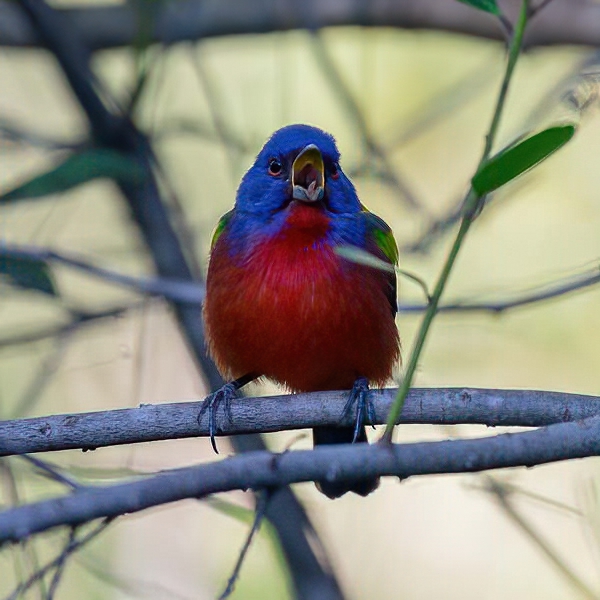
column 562, row 22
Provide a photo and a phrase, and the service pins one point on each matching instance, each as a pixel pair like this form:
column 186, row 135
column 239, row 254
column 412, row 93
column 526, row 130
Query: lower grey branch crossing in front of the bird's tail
column 255, row 470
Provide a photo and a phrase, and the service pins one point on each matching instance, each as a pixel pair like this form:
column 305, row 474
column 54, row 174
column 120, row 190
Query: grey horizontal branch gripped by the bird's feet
column 150, row 422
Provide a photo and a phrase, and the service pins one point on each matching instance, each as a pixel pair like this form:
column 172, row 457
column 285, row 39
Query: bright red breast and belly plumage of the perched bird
column 298, row 313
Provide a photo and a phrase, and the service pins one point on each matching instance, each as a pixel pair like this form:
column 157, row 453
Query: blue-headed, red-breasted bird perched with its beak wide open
column 283, row 303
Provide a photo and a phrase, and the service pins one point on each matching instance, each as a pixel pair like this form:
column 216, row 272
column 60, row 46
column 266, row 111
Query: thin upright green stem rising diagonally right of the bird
column 472, row 203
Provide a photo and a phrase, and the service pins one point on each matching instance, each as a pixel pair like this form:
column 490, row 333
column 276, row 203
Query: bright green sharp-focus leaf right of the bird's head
column 515, row 160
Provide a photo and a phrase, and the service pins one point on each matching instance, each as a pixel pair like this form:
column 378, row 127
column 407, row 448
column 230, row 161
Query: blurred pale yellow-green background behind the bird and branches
column 409, row 110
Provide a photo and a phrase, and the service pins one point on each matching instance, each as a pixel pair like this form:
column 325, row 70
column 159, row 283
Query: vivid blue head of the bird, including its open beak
column 298, row 163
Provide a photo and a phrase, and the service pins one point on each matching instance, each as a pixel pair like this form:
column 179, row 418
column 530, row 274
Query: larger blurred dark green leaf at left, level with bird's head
column 77, row 169
